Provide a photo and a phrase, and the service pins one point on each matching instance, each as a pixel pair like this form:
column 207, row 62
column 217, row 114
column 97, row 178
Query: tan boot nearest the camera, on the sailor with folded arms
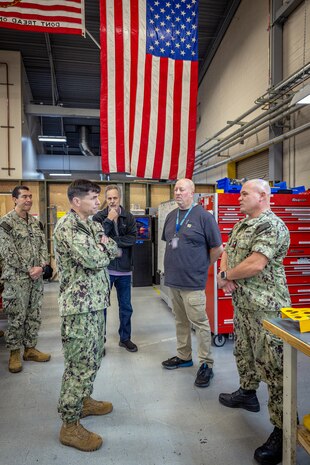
column 75, row 435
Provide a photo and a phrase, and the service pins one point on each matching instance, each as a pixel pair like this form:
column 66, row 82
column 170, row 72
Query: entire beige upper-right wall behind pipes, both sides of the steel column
column 239, row 74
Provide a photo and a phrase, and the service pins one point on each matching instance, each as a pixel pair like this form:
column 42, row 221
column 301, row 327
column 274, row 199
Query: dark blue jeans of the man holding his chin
column 123, row 289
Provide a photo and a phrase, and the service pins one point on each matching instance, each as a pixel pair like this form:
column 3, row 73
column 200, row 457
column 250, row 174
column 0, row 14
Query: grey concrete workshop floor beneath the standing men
column 159, row 417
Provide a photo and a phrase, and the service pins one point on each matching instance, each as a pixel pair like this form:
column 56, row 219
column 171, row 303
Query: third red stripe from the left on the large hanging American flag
column 134, row 49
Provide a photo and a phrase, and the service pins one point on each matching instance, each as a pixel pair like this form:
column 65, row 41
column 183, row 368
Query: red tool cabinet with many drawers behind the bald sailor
column 294, row 210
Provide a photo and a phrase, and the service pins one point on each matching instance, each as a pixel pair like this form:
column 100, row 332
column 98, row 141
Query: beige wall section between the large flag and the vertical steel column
column 238, row 74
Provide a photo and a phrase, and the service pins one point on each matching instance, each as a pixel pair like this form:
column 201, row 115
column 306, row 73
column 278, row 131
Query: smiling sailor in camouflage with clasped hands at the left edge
column 23, row 255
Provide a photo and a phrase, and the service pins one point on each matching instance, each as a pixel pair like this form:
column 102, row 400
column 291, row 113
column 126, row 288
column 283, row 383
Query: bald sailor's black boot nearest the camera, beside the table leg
column 270, row 453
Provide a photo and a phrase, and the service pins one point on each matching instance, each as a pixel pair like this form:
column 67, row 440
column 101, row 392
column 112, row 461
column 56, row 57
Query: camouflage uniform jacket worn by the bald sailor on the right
column 268, row 235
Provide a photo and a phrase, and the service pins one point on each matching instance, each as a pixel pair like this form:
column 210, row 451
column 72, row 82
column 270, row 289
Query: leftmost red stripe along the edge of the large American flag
column 104, row 92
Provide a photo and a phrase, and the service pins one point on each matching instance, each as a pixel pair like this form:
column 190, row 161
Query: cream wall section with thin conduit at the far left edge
column 14, row 146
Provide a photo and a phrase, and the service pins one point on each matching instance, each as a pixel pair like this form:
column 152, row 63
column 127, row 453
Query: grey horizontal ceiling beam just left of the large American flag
column 61, row 112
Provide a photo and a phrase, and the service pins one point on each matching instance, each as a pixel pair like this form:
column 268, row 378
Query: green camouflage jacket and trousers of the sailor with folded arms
column 84, row 293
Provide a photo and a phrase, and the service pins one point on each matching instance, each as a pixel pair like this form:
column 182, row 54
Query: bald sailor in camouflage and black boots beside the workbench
column 252, row 270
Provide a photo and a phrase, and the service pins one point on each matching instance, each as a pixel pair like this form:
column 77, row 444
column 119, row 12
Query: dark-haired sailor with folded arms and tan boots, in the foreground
column 83, row 253
